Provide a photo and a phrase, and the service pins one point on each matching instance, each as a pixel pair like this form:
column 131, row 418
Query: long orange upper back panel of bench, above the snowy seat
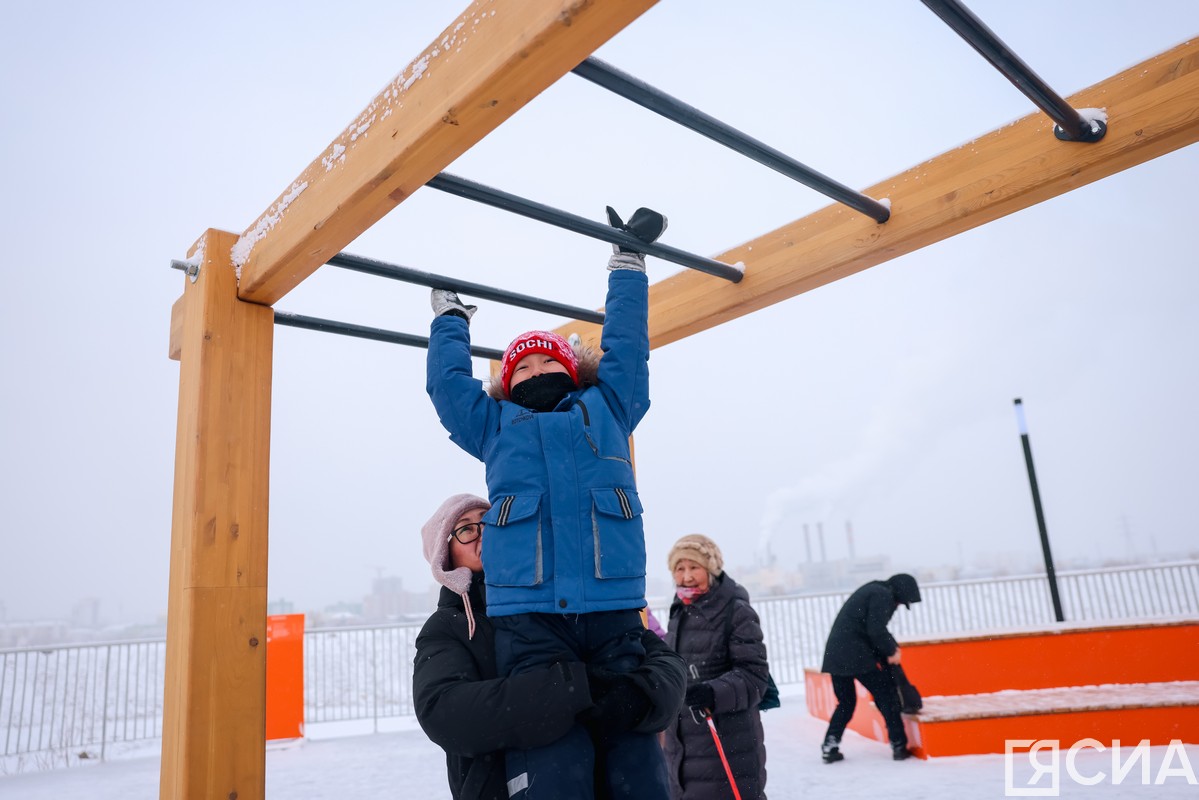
column 1049, row 660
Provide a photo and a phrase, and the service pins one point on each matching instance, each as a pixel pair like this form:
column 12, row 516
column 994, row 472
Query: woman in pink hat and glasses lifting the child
column 472, row 713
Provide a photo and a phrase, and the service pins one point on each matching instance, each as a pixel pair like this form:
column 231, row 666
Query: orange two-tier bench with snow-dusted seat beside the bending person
column 1130, row 682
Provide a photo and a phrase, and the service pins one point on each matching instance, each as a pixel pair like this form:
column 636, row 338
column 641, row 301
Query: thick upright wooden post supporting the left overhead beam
column 214, row 715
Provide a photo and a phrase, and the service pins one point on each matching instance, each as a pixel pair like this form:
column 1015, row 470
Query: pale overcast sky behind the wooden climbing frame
column 884, row 400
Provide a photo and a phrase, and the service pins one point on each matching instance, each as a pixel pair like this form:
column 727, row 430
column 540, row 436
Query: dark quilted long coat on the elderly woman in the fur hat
column 732, row 659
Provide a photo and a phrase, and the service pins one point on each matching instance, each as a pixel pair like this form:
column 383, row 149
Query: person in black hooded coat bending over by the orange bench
column 859, row 648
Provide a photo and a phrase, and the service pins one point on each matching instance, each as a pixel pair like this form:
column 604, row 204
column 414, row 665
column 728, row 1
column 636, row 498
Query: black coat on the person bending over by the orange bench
column 860, row 640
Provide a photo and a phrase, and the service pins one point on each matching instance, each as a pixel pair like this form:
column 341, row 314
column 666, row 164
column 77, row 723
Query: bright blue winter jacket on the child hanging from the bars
column 564, row 534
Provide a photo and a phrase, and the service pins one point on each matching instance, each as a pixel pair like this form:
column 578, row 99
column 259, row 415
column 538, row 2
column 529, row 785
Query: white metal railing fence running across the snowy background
column 62, row 705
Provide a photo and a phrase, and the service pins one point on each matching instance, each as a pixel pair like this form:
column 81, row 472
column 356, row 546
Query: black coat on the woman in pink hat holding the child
column 475, row 715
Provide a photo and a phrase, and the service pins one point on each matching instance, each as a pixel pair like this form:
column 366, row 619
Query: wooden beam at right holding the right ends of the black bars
column 1153, row 110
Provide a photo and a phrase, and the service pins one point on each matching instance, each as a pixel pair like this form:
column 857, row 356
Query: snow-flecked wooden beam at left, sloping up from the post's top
column 496, row 58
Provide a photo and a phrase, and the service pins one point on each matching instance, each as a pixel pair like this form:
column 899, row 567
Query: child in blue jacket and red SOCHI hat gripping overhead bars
column 564, row 550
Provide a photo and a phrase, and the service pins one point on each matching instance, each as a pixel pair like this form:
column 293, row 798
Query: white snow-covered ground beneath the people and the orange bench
column 403, row 763
